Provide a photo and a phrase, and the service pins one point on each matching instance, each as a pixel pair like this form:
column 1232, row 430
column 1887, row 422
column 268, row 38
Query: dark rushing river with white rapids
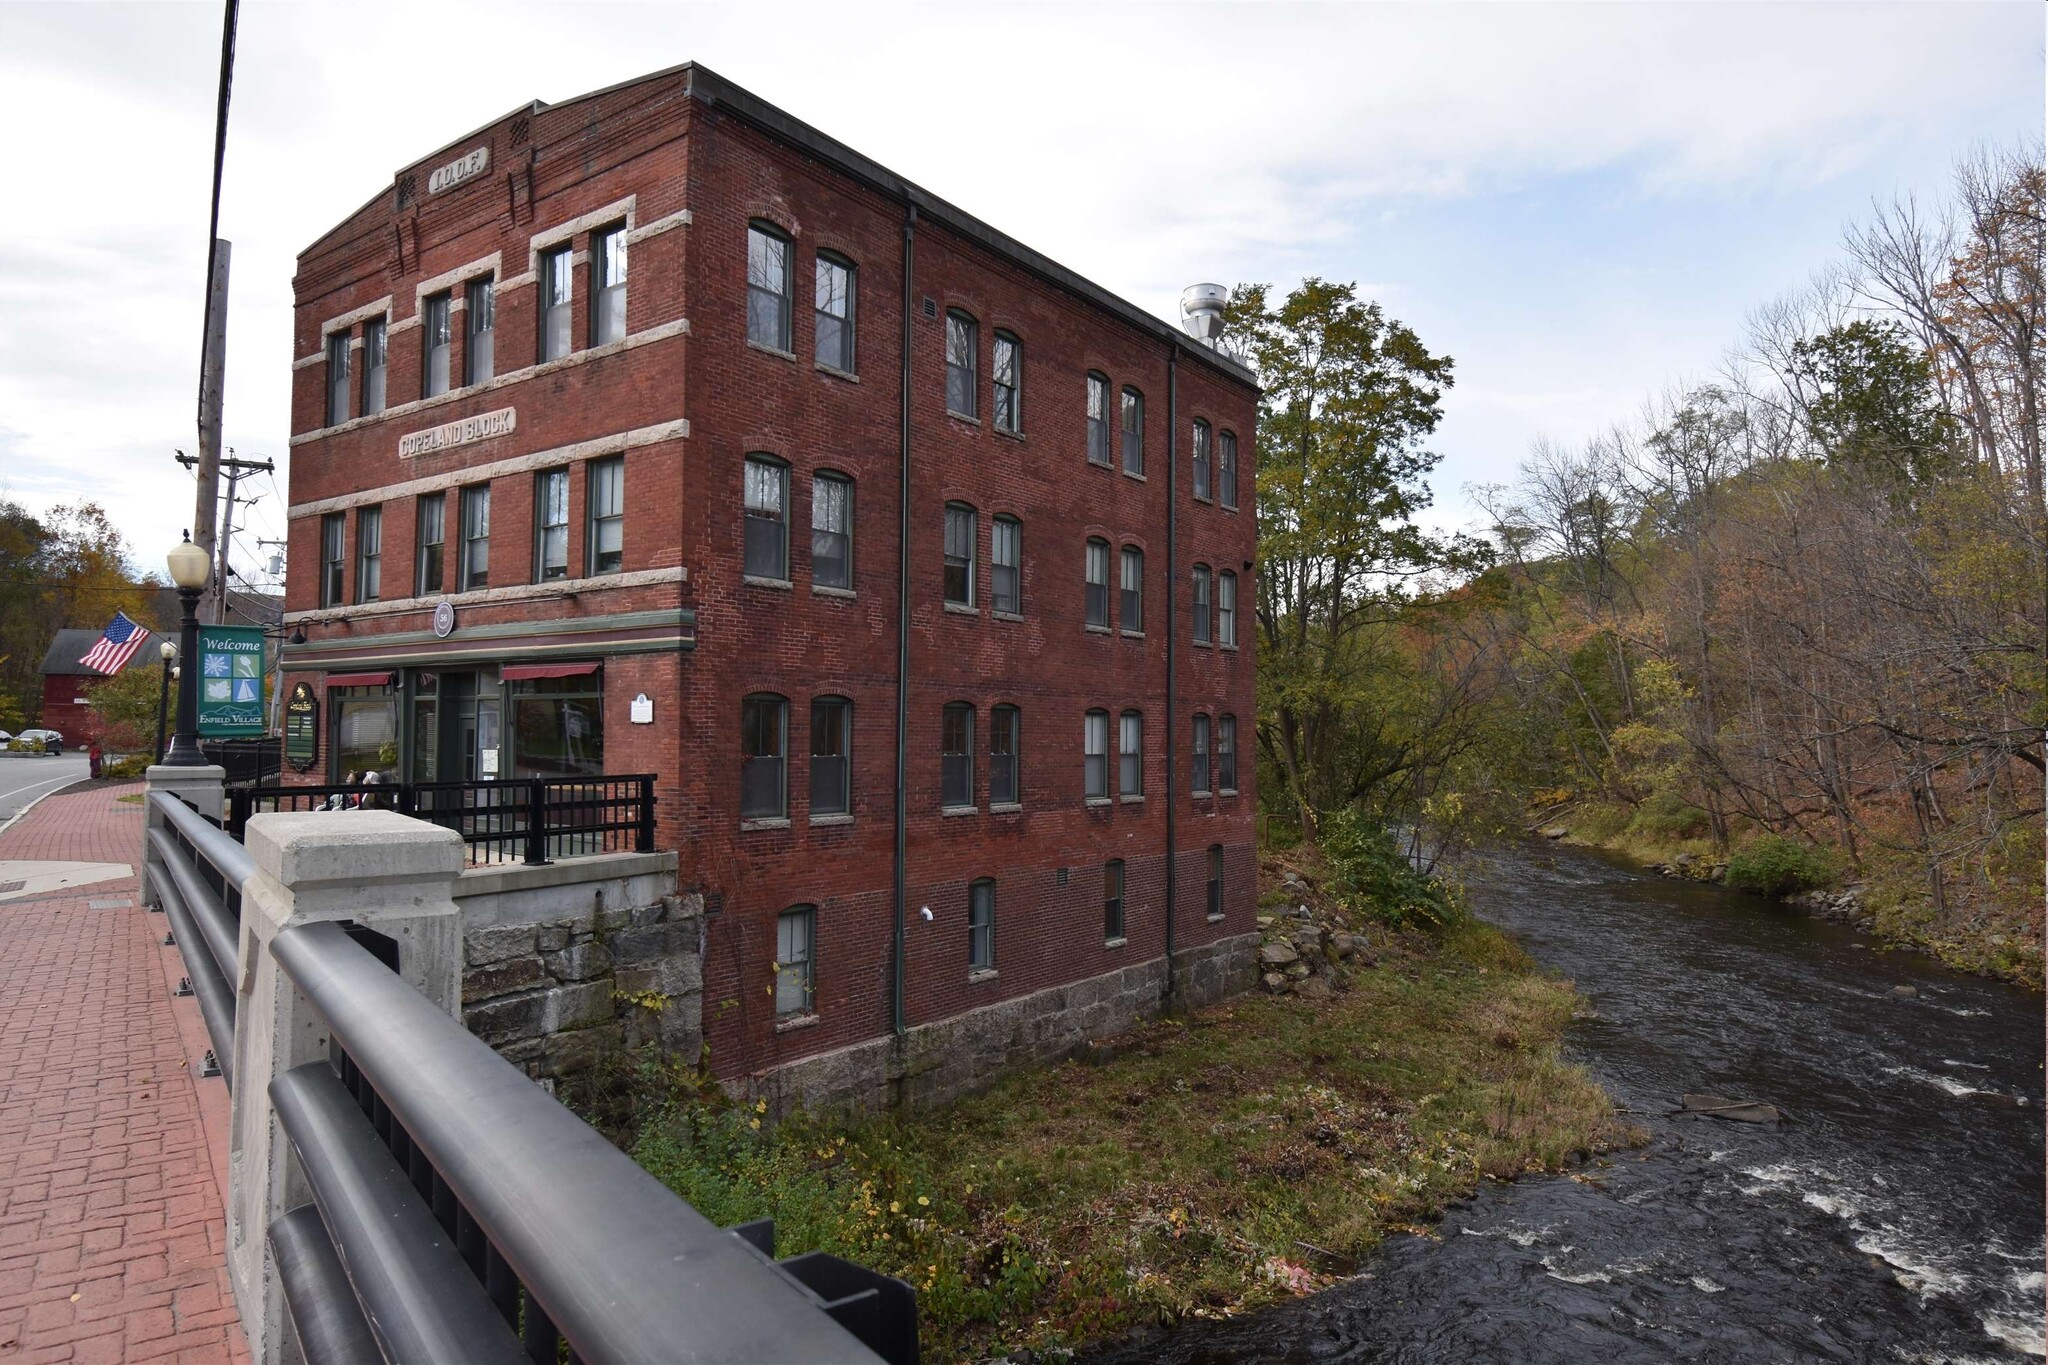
column 1895, row 1219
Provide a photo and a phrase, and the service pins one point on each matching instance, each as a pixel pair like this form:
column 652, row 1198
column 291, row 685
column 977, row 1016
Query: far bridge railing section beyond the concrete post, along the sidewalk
column 198, row 873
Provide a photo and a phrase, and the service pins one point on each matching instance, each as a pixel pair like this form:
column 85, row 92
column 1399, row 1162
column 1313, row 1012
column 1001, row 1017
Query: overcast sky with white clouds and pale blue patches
column 1576, row 202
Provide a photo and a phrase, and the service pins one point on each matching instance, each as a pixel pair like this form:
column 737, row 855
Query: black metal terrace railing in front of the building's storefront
column 501, row 820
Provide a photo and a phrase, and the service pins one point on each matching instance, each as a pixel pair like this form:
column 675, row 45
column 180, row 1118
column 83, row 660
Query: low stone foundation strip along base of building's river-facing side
column 935, row 1063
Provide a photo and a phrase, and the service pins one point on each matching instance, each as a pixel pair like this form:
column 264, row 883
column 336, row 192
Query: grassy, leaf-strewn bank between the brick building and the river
column 1220, row 1161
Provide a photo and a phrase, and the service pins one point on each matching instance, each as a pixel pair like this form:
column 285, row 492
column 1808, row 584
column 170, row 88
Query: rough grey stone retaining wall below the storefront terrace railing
column 579, row 961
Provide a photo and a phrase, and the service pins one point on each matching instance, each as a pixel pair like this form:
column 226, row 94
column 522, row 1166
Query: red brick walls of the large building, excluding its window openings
column 685, row 163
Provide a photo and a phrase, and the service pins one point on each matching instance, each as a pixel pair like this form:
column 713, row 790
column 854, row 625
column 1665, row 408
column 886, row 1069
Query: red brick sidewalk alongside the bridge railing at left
column 112, row 1210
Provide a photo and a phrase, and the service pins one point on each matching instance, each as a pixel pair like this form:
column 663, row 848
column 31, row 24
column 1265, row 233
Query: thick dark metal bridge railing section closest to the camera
column 464, row 1215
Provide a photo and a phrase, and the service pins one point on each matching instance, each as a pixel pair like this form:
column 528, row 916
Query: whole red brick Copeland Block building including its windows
column 589, row 373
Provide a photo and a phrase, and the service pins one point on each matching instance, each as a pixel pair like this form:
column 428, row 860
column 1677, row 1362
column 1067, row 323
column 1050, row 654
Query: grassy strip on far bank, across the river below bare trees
column 1992, row 928
